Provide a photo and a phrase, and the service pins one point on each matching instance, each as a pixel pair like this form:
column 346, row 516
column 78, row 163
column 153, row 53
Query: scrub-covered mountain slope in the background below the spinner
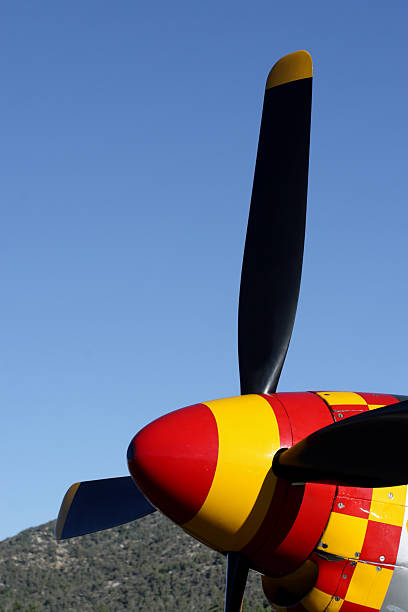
column 148, row 565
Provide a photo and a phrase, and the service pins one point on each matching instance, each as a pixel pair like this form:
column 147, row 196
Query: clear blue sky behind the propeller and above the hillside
column 128, row 142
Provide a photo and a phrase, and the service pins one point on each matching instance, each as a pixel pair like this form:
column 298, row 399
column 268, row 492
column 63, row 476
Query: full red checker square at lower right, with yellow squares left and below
column 381, row 540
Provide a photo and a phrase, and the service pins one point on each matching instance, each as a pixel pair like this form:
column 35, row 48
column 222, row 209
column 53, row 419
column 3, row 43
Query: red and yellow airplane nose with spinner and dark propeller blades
column 308, row 489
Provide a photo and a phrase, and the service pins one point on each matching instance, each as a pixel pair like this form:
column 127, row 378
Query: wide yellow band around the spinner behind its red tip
column 243, row 484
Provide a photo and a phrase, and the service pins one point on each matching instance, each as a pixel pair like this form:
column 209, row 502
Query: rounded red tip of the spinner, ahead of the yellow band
column 173, row 461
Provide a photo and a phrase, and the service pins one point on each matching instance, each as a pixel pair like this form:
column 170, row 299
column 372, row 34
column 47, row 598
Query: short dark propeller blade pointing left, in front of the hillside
column 94, row 505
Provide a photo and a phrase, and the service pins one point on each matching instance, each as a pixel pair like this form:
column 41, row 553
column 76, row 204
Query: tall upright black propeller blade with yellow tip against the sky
column 273, row 255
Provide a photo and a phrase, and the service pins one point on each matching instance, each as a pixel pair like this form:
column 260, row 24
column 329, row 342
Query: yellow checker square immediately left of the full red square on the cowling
column 344, row 535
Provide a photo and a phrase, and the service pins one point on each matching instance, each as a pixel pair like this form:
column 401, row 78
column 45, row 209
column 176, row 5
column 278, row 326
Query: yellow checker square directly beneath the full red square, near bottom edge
column 368, row 586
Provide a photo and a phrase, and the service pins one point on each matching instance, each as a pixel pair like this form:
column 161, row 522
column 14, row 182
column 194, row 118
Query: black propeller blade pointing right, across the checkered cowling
column 365, row 450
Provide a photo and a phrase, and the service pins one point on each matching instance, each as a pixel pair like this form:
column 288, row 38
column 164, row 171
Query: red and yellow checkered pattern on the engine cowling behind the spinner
column 364, row 529
